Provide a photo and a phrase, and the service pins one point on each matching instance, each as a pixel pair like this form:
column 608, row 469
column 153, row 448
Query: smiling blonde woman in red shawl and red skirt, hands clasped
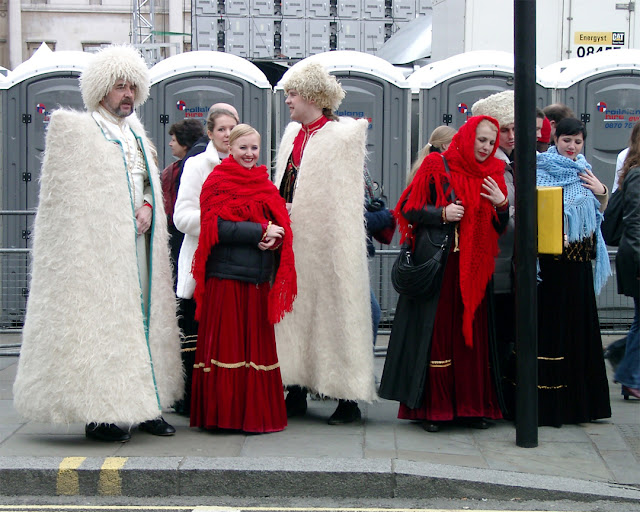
column 240, row 294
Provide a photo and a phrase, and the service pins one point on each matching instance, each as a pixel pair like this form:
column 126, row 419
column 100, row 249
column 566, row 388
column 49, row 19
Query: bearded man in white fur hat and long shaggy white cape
column 100, row 340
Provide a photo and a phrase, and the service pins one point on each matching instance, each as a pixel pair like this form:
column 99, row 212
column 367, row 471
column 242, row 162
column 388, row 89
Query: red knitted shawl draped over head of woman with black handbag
column 478, row 240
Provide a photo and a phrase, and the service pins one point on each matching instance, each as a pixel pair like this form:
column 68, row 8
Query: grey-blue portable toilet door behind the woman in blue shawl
column 612, row 106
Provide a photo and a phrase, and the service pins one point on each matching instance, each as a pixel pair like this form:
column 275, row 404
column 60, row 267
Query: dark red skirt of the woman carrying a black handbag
column 459, row 382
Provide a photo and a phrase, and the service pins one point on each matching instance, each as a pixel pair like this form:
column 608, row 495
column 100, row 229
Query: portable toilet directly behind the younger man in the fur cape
column 379, row 92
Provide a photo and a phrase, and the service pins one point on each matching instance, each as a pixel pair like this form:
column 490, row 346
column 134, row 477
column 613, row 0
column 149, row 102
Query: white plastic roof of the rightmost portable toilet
column 565, row 73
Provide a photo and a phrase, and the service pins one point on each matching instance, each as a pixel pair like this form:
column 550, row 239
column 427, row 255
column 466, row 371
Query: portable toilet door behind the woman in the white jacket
column 191, row 98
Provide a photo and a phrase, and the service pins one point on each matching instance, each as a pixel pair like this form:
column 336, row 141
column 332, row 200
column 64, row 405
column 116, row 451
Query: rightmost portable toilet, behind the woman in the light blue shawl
column 603, row 90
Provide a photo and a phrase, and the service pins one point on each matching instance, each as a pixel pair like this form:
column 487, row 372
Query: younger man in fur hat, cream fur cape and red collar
column 324, row 345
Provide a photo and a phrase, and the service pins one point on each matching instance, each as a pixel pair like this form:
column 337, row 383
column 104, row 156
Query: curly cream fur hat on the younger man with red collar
column 313, row 82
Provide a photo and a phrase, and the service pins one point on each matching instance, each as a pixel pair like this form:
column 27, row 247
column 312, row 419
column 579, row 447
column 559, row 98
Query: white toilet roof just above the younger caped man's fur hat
column 347, row 60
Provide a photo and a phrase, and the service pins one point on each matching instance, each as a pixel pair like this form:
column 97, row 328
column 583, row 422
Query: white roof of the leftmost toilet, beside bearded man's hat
column 46, row 61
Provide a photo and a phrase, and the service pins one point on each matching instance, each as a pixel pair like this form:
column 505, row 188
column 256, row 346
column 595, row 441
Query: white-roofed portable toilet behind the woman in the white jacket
column 186, row 85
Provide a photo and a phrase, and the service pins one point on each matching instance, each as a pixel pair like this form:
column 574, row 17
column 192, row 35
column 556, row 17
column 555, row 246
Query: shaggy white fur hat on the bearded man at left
column 113, row 63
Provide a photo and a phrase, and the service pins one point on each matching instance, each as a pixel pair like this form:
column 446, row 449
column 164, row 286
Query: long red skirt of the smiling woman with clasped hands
column 236, row 377
